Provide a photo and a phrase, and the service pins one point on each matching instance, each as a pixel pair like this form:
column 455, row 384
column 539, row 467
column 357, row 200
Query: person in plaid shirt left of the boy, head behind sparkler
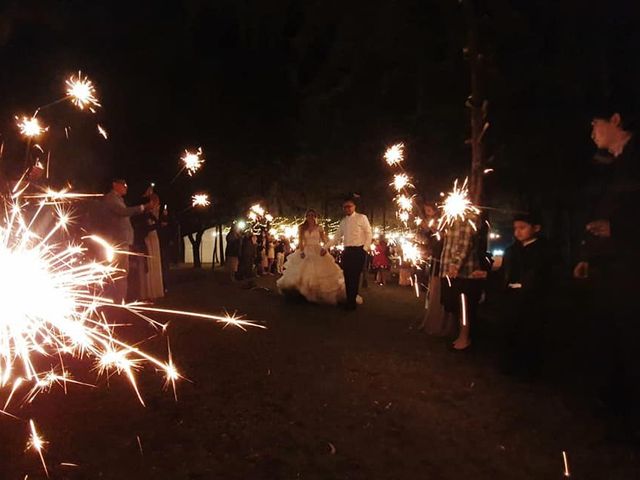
column 462, row 272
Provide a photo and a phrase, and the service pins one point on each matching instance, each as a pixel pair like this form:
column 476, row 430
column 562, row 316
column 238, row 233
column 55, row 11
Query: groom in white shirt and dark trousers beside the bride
column 355, row 233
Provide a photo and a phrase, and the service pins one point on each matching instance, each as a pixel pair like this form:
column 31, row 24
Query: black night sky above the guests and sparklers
column 294, row 102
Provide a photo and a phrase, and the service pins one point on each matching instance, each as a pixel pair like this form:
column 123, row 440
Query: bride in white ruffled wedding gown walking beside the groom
column 310, row 270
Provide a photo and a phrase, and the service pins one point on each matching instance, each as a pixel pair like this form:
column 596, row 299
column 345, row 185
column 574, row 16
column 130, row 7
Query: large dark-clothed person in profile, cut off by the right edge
column 609, row 261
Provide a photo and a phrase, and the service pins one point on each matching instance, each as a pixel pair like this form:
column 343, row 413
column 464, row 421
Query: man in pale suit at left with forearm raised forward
column 117, row 228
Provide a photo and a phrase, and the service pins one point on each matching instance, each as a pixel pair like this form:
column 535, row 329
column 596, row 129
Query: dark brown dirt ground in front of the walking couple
column 321, row 394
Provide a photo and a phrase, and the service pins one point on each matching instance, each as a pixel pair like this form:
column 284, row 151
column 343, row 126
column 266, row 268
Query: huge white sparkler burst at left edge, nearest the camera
column 53, row 308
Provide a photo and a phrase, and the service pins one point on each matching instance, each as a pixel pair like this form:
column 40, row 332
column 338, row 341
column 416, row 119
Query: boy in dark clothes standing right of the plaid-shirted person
column 526, row 276
